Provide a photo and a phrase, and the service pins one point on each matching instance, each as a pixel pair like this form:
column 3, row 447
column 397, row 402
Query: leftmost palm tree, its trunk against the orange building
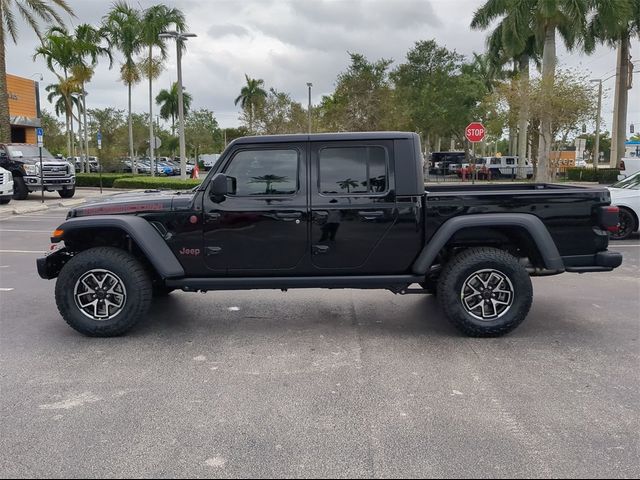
column 31, row 11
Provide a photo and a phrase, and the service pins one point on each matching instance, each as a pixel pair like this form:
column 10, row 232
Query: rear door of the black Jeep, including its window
column 352, row 203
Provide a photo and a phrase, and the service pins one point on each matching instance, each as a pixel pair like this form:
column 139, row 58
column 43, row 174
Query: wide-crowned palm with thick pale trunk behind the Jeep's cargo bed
column 545, row 18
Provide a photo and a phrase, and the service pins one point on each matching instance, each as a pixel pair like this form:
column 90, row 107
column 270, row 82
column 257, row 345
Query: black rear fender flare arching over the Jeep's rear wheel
column 532, row 224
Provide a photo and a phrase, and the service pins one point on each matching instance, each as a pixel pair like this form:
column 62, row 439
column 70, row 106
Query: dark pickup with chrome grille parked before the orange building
column 23, row 161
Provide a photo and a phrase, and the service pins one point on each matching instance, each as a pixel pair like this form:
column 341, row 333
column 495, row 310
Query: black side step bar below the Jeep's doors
column 393, row 282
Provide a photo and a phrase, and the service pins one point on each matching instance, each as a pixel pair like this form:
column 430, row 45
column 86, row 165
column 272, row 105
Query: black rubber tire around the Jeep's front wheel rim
column 127, row 268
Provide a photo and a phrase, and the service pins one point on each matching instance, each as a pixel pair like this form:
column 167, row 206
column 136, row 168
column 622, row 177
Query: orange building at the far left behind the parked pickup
column 24, row 108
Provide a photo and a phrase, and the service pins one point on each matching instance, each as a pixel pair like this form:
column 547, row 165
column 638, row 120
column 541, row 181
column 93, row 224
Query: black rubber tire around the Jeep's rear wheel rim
column 463, row 267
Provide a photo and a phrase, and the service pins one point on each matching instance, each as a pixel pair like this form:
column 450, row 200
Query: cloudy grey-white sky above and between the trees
column 291, row 42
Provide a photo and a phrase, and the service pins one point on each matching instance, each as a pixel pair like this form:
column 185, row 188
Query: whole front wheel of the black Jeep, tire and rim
column 103, row 292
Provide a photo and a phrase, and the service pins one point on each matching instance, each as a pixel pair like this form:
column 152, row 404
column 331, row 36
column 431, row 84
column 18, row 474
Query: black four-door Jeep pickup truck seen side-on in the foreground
column 345, row 210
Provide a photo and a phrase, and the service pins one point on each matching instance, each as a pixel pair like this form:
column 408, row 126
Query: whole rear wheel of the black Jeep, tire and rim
column 485, row 292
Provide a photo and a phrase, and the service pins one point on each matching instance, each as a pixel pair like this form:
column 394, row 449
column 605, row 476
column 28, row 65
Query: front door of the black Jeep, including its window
column 263, row 226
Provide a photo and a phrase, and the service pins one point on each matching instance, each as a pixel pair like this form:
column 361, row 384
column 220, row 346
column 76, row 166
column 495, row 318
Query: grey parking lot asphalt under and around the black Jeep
column 317, row 383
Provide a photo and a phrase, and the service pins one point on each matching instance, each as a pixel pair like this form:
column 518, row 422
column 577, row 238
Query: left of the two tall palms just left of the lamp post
column 123, row 27
